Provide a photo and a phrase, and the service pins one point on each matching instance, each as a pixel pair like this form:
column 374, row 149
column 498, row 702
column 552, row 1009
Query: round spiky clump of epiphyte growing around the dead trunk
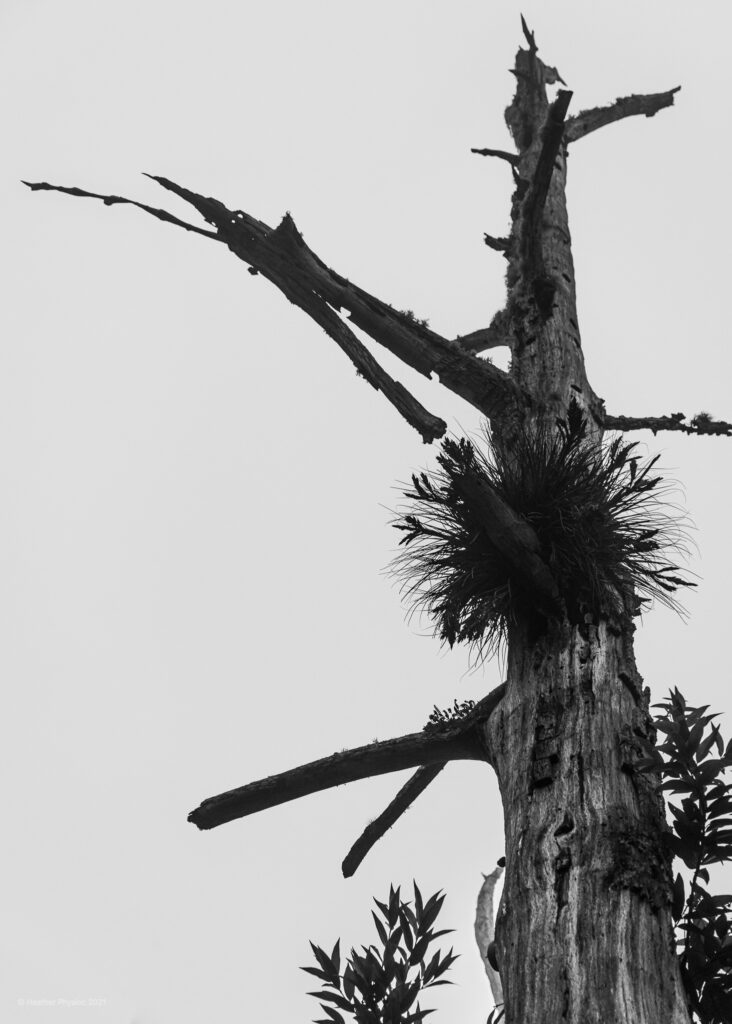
column 605, row 531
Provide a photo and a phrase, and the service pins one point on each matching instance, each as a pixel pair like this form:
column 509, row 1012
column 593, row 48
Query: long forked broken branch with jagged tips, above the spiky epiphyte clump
column 283, row 258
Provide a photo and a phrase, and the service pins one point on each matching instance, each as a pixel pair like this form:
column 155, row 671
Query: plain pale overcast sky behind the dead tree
column 196, row 484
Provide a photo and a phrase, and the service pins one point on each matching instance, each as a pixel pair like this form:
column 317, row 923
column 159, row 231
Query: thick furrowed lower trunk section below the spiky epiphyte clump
column 584, row 932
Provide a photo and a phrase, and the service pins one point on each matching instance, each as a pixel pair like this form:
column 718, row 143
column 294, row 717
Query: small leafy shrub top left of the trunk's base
column 381, row 986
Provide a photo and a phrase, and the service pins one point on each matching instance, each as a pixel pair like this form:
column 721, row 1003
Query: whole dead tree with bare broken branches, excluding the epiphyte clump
column 584, row 931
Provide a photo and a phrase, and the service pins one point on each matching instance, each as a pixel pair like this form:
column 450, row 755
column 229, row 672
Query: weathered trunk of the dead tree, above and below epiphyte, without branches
column 584, row 932
